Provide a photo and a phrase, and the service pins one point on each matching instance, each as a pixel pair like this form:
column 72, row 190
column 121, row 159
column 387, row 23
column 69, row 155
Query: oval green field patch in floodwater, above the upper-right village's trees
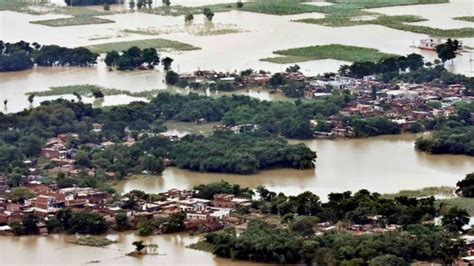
column 331, row 51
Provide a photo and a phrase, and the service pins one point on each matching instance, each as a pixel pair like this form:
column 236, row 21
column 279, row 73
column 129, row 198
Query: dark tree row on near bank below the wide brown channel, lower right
column 348, row 207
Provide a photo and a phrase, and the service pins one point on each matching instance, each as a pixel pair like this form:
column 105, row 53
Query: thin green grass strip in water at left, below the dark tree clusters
column 86, row 90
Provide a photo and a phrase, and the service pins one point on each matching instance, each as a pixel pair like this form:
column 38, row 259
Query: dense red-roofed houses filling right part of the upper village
column 404, row 104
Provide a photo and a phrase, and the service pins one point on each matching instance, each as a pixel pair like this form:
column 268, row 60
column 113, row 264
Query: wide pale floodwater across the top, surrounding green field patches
column 260, row 35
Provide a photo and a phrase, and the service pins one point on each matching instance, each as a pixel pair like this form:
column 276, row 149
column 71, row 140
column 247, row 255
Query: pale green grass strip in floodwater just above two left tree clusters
column 158, row 43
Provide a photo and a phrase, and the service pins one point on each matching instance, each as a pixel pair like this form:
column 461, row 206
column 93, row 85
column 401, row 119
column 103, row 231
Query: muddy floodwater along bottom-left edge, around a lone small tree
column 57, row 250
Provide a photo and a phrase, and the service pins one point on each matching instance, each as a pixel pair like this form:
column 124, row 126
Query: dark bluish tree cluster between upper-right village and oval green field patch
column 390, row 65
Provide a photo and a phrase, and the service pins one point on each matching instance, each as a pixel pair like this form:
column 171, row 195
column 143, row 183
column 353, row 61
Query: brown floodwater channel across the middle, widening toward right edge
column 384, row 164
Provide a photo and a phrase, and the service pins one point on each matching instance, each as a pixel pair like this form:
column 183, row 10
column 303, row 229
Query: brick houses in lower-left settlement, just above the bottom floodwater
column 201, row 214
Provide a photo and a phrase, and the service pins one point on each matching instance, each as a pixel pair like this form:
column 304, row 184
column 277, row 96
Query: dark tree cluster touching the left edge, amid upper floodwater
column 23, row 55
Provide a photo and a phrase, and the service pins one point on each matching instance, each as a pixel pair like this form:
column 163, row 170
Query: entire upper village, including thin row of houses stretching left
column 402, row 103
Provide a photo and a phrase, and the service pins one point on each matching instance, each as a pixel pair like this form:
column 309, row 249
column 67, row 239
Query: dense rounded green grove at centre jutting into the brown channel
column 244, row 153
